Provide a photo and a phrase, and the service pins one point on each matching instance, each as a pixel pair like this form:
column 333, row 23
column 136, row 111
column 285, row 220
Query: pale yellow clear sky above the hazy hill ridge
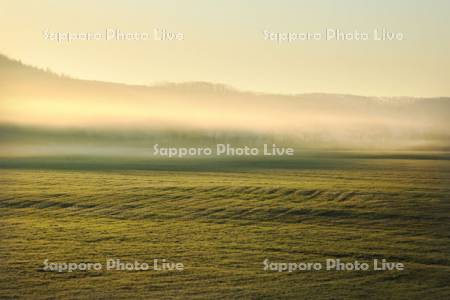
column 224, row 42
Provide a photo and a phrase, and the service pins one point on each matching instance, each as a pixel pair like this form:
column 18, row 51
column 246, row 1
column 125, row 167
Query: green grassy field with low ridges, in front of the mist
column 222, row 225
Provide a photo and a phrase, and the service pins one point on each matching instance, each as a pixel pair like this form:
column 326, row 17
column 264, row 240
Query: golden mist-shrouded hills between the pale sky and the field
column 32, row 98
